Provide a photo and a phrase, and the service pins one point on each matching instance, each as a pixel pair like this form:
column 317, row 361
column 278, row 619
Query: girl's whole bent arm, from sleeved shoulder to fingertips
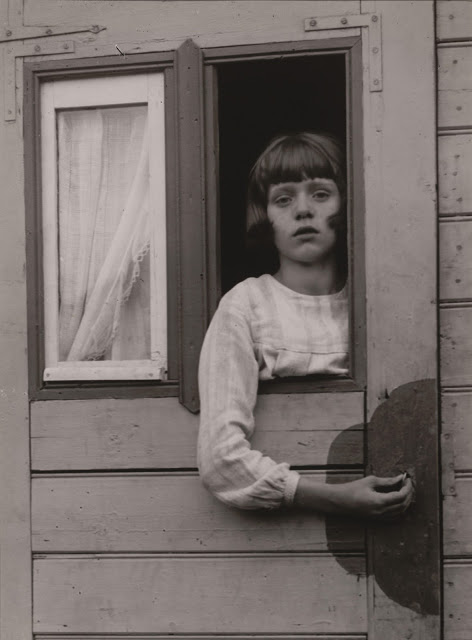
column 243, row 477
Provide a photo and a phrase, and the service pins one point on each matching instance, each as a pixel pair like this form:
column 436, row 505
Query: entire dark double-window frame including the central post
column 193, row 257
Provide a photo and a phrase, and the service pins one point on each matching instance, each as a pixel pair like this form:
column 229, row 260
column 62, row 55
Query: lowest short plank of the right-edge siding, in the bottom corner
column 457, row 610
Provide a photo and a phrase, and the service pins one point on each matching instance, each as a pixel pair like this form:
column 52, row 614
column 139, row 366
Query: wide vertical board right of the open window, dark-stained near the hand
column 401, row 255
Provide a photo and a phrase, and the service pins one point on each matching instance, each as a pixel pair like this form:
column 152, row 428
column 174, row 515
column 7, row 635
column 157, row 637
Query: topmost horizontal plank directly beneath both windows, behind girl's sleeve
column 153, row 433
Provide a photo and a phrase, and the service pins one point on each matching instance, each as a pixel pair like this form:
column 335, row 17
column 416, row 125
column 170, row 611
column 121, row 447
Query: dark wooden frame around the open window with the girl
column 351, row 47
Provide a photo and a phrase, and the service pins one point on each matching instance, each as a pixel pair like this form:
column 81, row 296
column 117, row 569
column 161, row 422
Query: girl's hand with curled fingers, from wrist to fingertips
column 373, row 496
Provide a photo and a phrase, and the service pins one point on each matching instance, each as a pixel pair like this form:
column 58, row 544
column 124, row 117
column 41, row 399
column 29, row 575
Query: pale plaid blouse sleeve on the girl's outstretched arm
column 228, row 380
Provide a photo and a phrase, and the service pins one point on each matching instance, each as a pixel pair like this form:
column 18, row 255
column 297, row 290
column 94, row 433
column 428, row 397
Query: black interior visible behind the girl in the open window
column 258, row 100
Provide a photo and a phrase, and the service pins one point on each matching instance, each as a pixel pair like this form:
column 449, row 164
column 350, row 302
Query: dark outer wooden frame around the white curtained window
column 37, row 73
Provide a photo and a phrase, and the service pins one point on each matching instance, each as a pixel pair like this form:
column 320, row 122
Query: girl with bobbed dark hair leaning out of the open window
column 291, row 323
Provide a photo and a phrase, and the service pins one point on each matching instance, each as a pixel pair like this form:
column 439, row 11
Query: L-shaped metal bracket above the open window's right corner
column 371, row 22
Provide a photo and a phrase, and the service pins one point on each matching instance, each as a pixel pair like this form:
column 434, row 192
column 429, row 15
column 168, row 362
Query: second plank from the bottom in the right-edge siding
column 457, row 522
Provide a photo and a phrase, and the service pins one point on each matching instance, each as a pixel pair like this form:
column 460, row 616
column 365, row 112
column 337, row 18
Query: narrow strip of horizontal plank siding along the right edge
column 454, row 50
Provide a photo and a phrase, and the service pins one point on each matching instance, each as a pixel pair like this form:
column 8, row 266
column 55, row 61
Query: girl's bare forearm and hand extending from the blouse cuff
column 371, row 497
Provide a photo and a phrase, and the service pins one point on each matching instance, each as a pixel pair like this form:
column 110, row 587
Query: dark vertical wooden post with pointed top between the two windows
column 191, row 218
